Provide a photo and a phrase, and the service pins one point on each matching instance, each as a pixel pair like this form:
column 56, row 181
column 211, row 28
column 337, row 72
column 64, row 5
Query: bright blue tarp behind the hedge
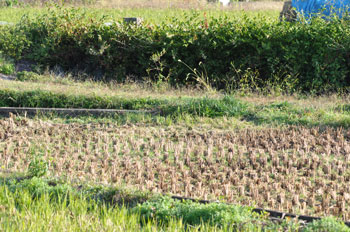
column 326, row 8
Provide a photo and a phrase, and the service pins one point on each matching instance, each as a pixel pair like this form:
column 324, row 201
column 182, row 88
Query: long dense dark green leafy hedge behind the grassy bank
column 226, row 53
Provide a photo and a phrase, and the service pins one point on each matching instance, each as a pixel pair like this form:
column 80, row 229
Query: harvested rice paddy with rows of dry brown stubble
column 294, row 169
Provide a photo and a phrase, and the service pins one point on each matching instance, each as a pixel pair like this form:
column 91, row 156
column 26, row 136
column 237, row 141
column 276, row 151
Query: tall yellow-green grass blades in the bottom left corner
column 20, row 212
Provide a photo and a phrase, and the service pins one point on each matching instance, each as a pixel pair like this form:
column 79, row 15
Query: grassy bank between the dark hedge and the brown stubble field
column 192, row 107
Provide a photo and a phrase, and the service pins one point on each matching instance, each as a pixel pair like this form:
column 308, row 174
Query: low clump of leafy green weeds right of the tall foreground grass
column 164, row 209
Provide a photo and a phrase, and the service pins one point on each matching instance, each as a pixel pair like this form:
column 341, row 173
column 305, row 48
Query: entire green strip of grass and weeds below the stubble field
column 38, row 204
